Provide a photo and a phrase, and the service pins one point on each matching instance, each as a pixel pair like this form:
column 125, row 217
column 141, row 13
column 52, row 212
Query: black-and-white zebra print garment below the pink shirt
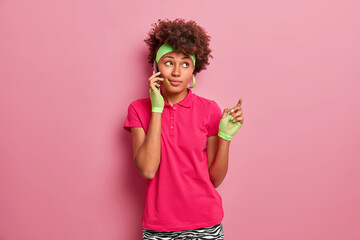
column 209, row 233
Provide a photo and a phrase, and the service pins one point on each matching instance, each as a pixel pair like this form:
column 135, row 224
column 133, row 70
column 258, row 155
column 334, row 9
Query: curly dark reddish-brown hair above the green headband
column 187, row 37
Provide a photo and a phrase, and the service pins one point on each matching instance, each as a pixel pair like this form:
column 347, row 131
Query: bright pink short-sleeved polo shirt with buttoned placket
column 181, row 195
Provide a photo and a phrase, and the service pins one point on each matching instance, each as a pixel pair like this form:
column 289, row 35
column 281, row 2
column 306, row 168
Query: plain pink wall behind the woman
column 69, row 70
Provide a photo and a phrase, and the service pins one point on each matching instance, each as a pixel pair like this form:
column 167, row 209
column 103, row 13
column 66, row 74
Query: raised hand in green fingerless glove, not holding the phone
column 231, row 121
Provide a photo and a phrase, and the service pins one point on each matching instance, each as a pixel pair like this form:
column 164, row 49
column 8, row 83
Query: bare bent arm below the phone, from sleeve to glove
column 146, row 148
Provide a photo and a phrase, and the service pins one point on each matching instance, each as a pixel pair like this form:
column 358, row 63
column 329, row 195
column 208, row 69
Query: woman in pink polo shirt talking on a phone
column 181, row 140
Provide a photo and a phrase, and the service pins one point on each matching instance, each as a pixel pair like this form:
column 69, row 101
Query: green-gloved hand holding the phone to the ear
column 157, row 100
